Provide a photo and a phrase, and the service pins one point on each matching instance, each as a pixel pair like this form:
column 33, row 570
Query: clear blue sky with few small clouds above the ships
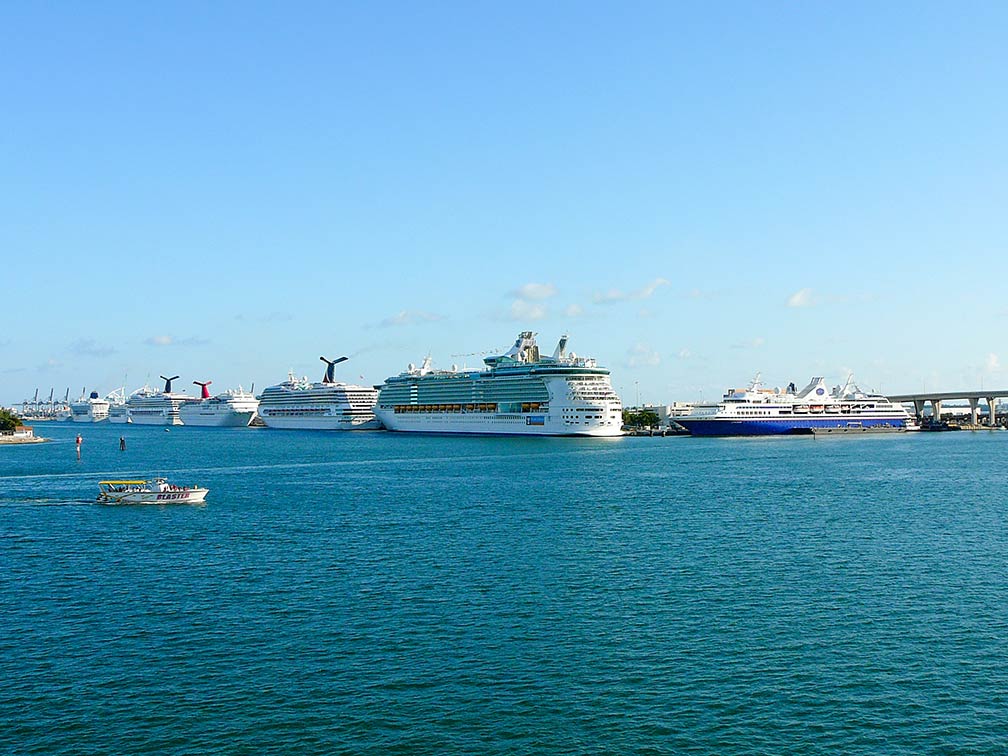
column 695, row 193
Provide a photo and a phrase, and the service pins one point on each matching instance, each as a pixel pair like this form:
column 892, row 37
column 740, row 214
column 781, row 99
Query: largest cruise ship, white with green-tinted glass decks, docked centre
column 518, row 394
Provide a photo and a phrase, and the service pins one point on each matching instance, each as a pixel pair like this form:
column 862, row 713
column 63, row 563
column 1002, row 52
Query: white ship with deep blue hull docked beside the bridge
column 760, row 412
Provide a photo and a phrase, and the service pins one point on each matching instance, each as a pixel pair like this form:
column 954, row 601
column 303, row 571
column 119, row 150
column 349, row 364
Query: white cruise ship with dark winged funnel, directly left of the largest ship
column 329, row 406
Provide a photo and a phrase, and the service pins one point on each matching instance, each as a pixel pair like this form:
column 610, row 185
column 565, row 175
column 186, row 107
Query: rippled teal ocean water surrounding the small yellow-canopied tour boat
column 379, row 593
